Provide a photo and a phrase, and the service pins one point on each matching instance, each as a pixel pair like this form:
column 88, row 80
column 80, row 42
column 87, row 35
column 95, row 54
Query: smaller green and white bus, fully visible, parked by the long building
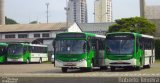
column 21, row 52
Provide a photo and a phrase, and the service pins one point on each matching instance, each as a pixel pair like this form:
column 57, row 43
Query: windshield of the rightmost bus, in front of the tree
column 120, row 46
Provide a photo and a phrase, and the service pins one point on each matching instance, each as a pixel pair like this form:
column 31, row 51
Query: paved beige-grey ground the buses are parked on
column 48, row 68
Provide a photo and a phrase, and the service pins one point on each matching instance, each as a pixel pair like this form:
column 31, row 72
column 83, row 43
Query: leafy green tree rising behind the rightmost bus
column 133, row 24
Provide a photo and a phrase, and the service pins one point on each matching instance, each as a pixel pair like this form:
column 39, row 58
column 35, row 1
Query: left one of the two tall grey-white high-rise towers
column 76, row 11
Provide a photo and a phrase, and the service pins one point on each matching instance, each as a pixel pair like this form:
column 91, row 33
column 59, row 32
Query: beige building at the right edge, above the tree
column 152, row 12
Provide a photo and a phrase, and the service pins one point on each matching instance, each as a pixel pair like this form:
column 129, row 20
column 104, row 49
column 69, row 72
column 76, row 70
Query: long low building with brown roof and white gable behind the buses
column 27, row 33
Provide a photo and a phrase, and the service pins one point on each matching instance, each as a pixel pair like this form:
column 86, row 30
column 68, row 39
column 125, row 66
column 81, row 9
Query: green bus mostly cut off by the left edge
column 3, row 52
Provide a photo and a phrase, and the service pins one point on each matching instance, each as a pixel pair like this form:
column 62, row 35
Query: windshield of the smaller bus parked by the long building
column 15, row 49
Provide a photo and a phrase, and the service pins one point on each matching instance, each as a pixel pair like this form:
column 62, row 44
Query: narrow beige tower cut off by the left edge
column 2, row 16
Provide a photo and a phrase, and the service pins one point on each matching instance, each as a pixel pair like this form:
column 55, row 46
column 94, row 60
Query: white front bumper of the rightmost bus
column 121, row 63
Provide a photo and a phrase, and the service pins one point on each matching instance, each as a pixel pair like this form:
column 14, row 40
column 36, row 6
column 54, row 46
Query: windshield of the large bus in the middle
column 70, row 46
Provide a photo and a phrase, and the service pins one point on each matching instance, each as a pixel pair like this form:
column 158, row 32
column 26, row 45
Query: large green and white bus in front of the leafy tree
column 126, row 49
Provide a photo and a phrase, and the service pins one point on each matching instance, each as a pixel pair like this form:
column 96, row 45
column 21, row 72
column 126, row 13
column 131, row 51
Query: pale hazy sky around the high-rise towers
column 25, row 11
